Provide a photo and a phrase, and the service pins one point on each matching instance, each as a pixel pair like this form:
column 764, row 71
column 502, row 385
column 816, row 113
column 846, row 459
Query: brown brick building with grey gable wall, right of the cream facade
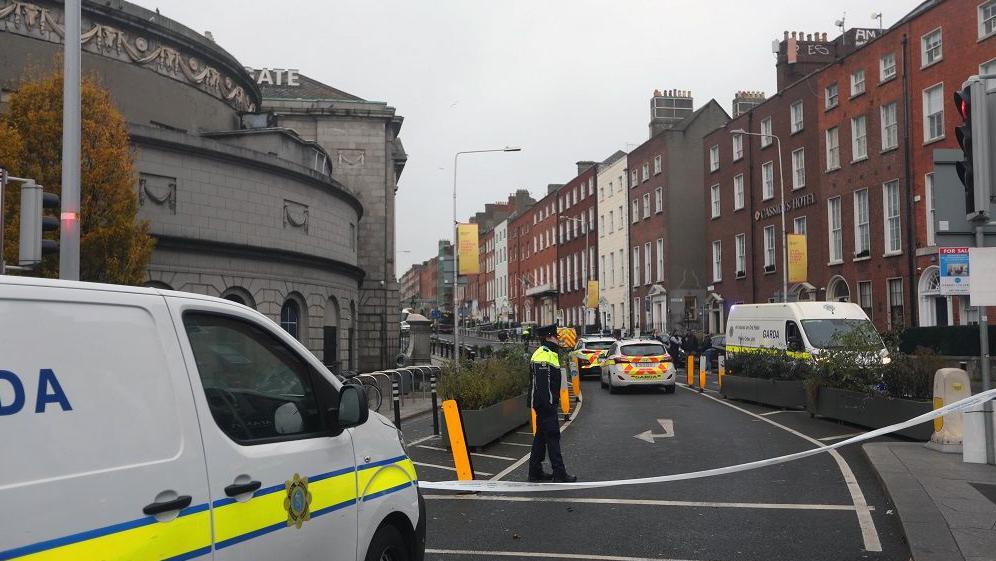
column 667, row 272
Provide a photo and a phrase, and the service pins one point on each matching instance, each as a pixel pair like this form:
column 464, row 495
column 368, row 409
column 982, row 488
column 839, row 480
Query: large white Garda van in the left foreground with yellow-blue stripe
column 144, row 424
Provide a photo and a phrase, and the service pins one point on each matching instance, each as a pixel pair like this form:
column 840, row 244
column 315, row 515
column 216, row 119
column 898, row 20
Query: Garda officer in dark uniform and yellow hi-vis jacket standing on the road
column 544, row 395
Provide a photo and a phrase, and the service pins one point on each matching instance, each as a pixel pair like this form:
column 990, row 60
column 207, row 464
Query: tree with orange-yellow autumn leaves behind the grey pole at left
column 115, row 247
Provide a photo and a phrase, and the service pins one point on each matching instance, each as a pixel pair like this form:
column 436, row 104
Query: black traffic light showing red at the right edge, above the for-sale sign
column 973, row 135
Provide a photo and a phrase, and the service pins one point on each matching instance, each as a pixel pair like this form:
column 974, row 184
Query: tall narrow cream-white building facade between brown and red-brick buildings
column 613, row 239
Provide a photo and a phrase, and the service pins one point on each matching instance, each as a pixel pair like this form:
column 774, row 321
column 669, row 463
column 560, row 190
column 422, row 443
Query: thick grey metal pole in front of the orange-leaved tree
column 69, row 236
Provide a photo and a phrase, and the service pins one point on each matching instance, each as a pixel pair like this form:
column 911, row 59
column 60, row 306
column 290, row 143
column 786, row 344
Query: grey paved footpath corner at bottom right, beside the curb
column 947, row 507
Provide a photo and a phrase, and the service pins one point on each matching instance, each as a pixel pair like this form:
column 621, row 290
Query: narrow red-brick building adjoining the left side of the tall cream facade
column 577, row 246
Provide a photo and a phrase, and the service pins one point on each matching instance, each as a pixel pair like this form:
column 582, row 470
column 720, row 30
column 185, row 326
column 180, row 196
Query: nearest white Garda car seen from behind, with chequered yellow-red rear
column 638, row 362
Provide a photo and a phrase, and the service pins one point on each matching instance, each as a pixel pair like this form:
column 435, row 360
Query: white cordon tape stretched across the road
column 523, row 487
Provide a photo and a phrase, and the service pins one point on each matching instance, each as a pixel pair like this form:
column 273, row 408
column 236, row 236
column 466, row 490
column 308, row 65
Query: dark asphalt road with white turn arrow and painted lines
column 825, row 507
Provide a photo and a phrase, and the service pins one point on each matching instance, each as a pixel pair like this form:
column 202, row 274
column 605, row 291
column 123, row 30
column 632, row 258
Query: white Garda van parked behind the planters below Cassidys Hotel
column 802, row 329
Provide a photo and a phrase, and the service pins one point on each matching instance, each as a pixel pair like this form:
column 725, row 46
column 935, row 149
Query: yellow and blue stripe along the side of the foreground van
column 189, row 535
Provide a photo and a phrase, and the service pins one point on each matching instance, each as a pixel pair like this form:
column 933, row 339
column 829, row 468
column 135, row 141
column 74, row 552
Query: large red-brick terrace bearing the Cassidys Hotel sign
column 858, row 127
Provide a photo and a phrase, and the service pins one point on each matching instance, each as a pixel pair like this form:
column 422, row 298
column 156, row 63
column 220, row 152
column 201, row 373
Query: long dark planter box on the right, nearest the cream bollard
column 871, row 411
